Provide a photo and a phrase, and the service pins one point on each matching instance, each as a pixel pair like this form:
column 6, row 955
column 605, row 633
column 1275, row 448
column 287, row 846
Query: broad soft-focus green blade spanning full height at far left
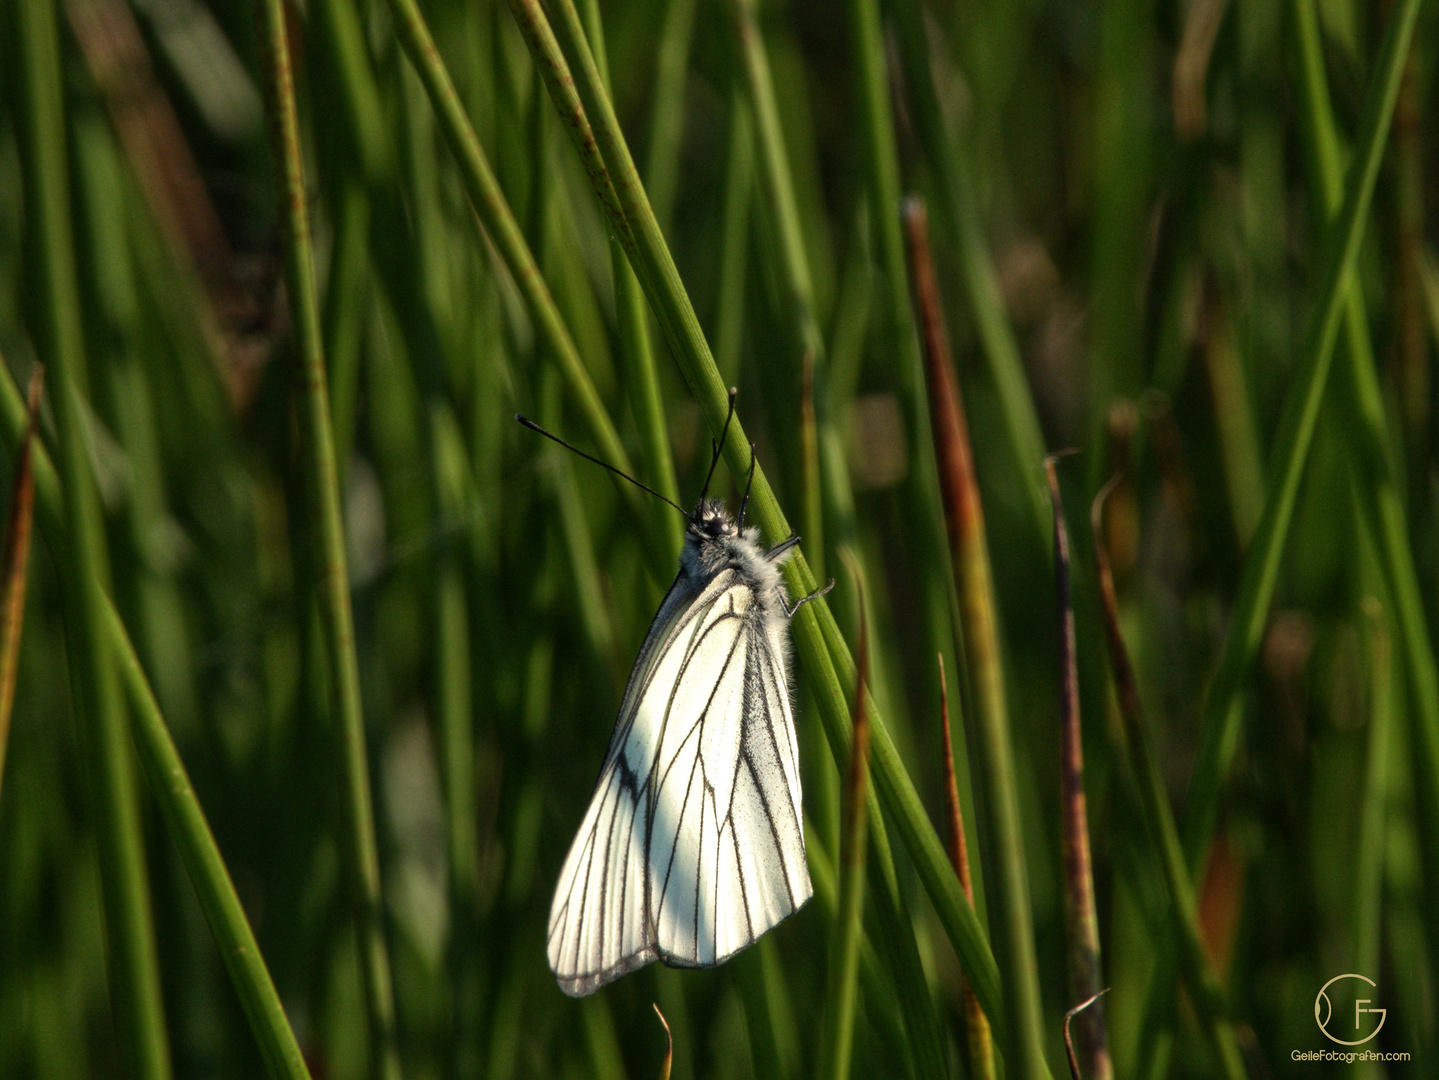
column 100, row 711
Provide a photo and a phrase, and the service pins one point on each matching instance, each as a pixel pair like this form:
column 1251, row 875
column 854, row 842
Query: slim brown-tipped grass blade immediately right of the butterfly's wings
column 844, row 971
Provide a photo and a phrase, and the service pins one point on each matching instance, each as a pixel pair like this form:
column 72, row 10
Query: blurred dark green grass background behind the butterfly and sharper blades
column 1129, row 208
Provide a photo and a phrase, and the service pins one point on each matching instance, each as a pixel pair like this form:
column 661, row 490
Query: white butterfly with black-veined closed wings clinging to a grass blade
column 693, row 845
